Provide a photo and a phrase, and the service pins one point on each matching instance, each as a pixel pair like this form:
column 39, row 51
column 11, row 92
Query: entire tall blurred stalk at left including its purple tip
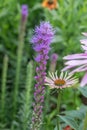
column 24, row 15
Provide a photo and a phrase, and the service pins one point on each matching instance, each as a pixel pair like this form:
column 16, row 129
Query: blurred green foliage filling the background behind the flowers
column 69, row 20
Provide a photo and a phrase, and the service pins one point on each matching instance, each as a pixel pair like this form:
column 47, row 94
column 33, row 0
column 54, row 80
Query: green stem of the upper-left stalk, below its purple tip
column 18, row 66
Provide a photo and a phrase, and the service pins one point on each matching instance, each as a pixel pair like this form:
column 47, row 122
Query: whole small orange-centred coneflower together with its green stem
column 61, row 82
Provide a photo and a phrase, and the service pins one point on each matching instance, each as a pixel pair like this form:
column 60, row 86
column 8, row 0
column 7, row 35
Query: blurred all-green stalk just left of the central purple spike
column 27, row 103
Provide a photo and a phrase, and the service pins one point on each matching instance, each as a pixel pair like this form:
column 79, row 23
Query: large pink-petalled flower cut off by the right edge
column 78, row 62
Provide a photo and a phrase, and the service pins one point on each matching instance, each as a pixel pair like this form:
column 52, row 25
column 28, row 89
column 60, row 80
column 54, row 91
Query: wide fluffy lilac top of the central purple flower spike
column 43, row 35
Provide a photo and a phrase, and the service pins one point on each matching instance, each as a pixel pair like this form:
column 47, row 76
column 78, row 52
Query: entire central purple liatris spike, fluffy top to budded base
column 41, row 44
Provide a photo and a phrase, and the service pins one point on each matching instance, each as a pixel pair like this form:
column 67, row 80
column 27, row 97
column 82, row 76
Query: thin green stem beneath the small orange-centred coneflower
column 58, row 109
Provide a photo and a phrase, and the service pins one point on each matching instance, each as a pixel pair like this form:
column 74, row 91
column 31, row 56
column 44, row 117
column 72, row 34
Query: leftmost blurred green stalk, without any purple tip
column 3, row 86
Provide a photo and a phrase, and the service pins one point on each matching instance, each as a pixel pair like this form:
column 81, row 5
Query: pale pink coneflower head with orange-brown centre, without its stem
column 63, row 81
